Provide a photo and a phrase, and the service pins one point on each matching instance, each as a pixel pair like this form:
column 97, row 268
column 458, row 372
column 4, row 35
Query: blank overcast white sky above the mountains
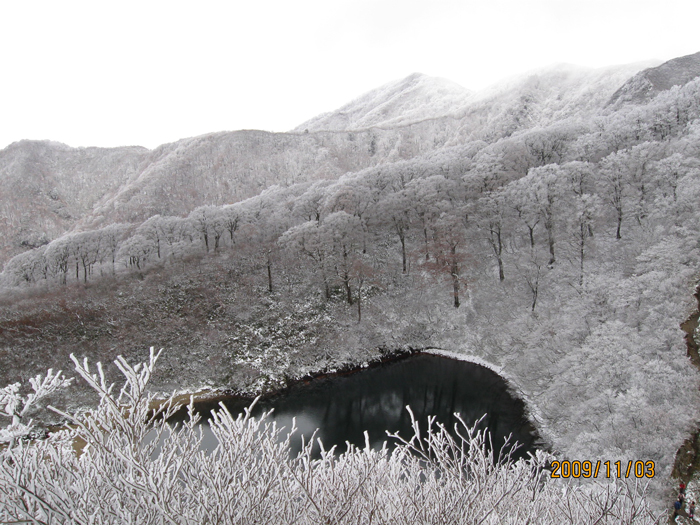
column 113, row 73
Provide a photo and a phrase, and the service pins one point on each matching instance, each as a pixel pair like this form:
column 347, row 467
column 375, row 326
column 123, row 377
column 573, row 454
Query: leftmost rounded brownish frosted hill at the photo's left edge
column 46, row 187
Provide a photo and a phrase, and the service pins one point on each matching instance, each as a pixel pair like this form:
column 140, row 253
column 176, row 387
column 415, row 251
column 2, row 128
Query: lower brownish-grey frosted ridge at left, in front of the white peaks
column 47, row 189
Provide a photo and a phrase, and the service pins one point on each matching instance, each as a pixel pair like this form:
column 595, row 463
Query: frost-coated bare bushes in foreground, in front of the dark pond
column 123, row 475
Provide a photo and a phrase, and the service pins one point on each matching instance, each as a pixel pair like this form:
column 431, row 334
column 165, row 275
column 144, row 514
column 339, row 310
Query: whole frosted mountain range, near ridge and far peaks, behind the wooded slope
column 49, row 188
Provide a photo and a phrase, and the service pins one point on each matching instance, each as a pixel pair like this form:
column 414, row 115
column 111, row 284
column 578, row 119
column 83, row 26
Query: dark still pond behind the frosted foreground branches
column 343, row 407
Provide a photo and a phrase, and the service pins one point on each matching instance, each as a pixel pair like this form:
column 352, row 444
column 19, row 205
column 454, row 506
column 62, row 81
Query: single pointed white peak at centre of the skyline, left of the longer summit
column 412, row 99
